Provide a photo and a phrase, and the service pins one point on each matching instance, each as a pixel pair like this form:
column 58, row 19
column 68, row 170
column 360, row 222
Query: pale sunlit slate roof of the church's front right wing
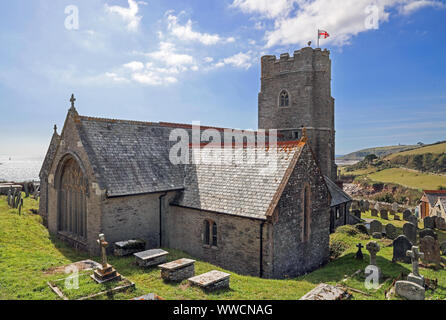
column 243, row 189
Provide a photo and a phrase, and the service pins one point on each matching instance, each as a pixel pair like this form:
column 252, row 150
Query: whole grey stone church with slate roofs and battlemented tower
column 115, row 177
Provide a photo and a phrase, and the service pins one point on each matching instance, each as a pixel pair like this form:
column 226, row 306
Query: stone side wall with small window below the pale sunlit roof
column 238, row 247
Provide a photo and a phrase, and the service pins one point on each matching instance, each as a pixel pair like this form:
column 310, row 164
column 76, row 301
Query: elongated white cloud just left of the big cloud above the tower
column 185, row 32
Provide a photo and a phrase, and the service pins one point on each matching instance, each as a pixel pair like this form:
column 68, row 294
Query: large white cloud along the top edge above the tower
column 297, row 21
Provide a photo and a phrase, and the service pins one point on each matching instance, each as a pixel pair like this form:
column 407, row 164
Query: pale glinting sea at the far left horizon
column 20, row 169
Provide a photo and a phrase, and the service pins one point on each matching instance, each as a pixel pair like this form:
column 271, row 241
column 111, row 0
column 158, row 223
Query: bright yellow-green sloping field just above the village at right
column 409, row 179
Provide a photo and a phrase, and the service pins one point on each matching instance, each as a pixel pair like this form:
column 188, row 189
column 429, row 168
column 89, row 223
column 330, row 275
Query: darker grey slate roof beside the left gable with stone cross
column 130, row 157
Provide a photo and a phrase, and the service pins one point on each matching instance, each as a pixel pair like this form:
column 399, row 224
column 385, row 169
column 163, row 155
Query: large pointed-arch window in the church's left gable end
column 72, row 201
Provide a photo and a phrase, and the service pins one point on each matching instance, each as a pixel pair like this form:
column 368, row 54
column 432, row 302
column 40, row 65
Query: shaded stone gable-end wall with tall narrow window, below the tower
column 292, row 255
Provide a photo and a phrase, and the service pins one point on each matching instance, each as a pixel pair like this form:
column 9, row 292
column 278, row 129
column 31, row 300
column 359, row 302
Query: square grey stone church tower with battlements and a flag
column 295, row 93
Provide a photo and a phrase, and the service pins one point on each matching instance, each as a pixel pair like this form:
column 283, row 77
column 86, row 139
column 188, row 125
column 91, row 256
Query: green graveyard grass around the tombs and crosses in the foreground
column 29, row 255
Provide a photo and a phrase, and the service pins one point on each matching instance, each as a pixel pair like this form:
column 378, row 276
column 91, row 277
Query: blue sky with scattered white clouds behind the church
column 181, row 61
